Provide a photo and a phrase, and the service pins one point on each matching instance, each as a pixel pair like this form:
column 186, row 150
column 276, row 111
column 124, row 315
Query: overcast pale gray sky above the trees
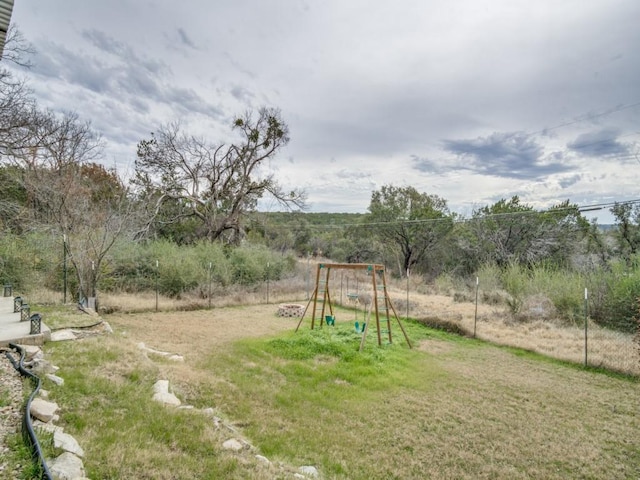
column 470, row 100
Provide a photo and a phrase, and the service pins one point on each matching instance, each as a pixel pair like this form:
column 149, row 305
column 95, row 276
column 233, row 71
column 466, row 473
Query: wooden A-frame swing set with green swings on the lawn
column 378, row 302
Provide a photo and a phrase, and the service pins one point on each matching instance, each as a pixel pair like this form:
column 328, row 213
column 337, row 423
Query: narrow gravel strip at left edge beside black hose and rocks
column 11, row 395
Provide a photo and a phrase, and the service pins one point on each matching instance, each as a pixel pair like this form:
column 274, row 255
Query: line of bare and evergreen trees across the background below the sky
column 188, row 189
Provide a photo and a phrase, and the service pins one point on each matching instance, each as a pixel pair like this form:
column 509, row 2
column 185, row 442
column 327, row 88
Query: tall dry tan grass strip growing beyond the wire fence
column 494, row 322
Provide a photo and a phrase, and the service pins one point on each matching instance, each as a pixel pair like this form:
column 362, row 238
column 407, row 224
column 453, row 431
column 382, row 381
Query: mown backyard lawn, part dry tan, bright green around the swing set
column 448, row 408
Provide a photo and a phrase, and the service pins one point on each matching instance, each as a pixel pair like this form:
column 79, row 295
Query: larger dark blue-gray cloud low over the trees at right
column 513, row 155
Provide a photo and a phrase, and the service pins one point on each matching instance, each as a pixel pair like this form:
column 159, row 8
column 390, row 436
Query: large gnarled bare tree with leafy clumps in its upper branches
column 217, row 184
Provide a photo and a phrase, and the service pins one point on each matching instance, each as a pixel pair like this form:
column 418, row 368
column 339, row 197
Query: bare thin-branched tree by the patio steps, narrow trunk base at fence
column 71, row 195
